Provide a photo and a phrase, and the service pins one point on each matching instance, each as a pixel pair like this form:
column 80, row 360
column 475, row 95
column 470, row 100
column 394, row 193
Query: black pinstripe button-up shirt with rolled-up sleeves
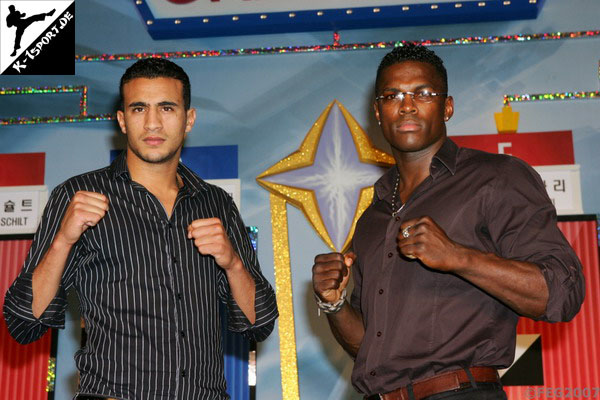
column 150, row 300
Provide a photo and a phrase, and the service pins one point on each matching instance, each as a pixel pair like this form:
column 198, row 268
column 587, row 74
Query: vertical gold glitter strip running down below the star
column 285, row 304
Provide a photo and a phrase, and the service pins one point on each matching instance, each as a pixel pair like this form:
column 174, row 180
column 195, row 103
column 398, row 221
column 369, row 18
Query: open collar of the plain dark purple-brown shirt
column 445, row 158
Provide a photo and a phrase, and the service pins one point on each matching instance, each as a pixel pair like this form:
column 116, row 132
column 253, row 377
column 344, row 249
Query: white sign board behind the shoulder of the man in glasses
column 563, row 186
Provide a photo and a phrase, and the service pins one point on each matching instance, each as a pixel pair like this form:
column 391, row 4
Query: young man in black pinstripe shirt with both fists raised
column 150, row 249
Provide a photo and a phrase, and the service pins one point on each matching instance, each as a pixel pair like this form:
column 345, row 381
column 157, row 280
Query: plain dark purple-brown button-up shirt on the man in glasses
column 420, row 322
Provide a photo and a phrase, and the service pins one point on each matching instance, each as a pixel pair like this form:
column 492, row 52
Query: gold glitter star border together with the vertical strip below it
column 305, row 200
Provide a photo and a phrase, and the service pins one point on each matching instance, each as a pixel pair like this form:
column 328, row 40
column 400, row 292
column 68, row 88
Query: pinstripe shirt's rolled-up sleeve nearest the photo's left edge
column 21, row 323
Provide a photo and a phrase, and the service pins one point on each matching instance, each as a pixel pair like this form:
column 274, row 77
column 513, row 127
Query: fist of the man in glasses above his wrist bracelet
column 331, row 273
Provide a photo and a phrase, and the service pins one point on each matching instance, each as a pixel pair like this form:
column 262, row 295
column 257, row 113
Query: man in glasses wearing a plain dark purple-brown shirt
column 456, row 245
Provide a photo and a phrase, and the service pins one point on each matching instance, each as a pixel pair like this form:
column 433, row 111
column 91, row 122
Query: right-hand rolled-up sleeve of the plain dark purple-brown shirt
column 523, row 224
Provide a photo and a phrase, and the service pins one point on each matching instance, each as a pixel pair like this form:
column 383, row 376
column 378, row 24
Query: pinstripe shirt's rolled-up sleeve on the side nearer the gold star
column 265, row 304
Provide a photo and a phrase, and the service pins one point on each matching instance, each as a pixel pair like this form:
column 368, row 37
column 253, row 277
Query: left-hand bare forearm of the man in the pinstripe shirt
column 47, row 275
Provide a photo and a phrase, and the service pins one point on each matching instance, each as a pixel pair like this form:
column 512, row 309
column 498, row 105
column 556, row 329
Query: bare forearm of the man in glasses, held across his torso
column 518, row 284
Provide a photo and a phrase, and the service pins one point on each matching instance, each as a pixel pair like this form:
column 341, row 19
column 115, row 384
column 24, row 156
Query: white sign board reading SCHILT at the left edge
column 21, row 208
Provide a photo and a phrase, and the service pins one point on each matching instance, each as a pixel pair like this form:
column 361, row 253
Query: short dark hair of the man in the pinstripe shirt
column 157, row 68
